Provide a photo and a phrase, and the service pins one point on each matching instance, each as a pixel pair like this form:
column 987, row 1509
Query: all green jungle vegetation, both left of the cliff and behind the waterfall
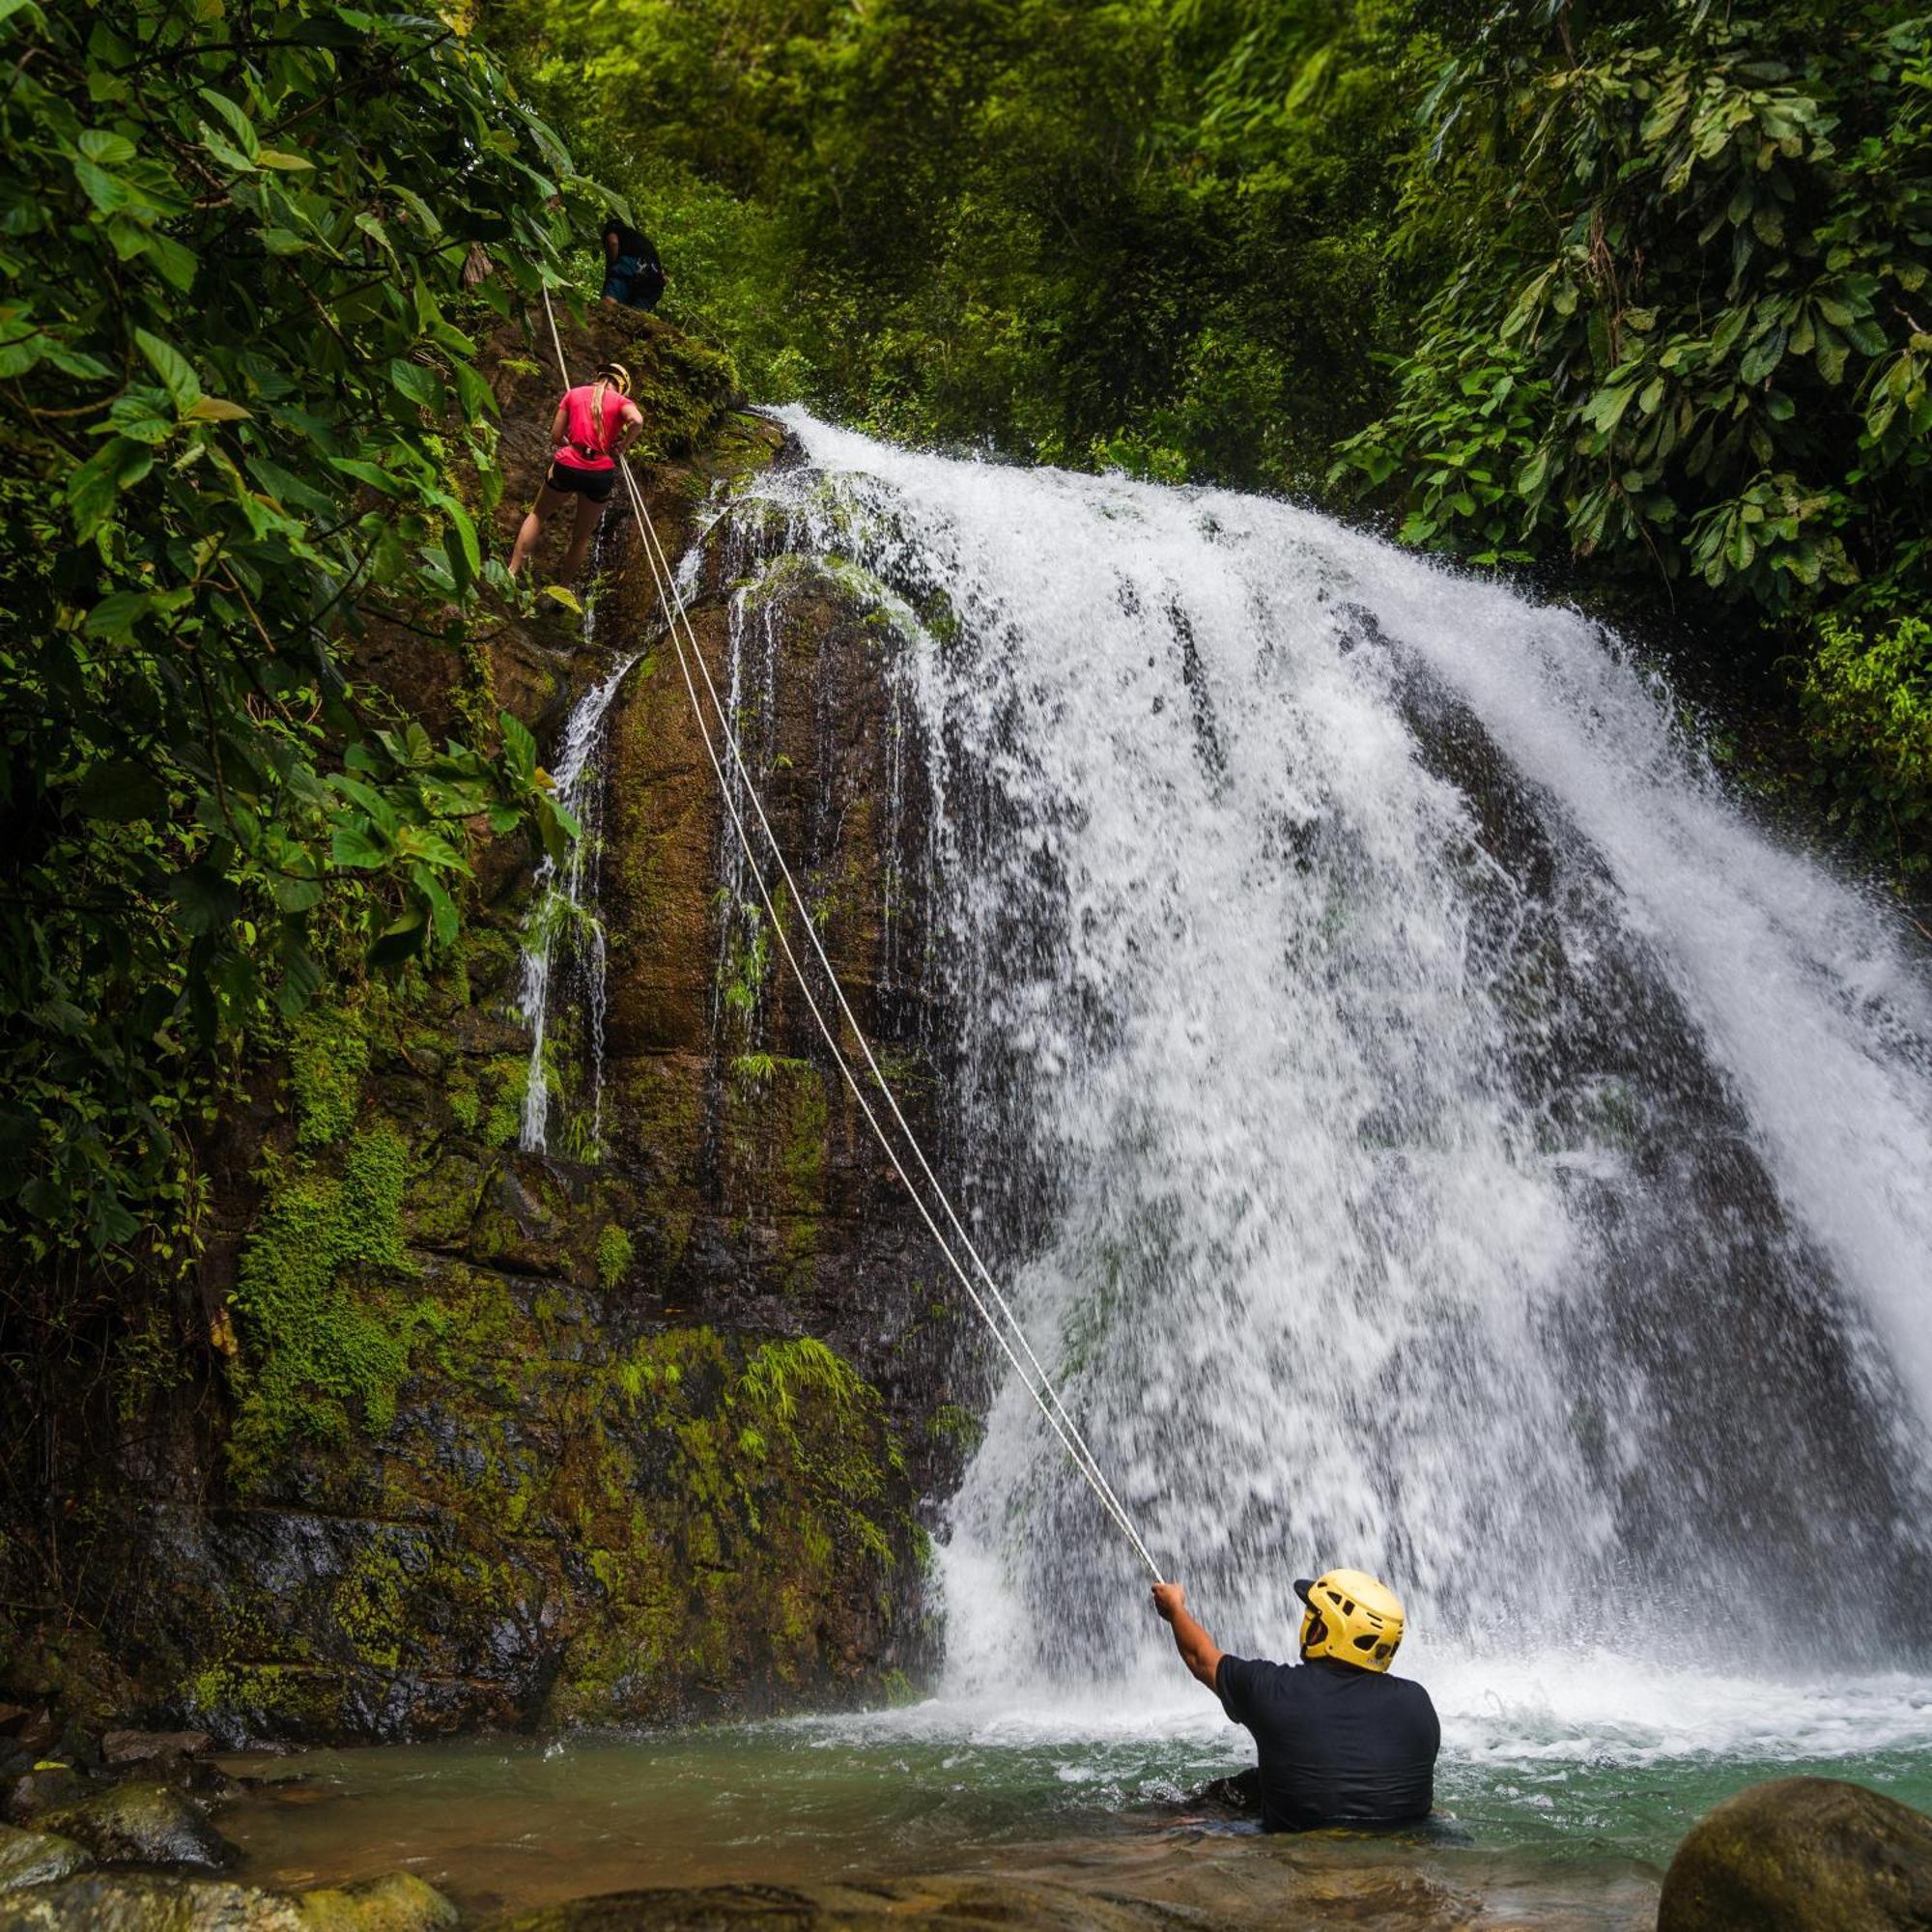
column 1632, row 295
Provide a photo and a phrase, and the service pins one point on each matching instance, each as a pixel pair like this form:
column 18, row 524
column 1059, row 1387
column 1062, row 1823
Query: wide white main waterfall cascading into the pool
column 1425, row 1122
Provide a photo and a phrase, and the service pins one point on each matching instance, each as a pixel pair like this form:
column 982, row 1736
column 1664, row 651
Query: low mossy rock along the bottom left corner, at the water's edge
column 140, row 1902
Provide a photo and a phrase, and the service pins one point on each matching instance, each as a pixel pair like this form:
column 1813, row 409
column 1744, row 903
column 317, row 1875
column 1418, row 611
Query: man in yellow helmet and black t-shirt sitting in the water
column 1342, row 1744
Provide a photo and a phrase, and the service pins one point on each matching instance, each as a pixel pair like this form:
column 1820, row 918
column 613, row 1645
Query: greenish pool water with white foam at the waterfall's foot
column 1543, row 1776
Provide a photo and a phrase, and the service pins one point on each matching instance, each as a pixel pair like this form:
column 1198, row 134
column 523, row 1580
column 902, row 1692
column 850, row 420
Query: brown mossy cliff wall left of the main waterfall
column 465, row 1435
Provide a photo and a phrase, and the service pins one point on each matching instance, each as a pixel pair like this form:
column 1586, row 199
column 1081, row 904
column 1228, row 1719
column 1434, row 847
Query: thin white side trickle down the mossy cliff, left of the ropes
column 565, row 923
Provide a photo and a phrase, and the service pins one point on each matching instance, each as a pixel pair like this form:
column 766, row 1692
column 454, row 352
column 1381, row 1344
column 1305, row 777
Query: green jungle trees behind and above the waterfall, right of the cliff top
column 1626, row 293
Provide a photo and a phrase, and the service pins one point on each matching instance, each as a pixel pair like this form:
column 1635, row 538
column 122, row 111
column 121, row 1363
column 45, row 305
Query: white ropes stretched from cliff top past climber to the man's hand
column 1023, row 1359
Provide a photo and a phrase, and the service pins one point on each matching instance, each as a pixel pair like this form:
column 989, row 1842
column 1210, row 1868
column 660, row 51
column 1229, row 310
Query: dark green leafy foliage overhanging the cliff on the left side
column 241, row 426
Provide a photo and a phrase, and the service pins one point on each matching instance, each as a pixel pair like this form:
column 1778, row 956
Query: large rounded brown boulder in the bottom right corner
column 1804, row 1854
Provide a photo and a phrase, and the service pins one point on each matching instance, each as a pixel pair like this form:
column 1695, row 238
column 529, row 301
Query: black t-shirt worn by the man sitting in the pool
column 1338, row 1746
